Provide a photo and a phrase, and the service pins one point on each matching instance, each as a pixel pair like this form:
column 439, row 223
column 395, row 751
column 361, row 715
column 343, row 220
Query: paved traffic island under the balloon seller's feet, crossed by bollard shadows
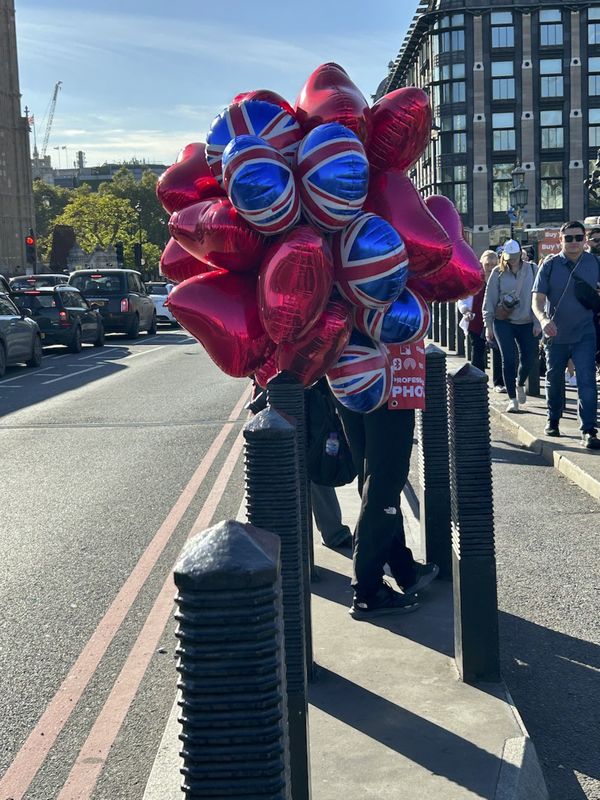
column 388, row 715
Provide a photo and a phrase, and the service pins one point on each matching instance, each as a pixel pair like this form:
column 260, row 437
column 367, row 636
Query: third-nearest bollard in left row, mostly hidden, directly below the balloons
column 286, row 394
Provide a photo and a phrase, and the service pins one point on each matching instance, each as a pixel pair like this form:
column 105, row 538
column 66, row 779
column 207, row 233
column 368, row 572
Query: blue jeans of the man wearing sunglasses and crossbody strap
column 583, row 354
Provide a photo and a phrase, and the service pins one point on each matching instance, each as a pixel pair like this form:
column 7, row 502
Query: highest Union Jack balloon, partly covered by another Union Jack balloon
column 255, row 118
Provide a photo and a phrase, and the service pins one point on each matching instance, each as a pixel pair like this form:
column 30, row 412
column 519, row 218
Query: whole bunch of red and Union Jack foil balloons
column 300, row 243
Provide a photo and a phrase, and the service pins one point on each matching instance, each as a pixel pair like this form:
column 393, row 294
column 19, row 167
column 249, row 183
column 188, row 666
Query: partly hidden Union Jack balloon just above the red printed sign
column 405, row 321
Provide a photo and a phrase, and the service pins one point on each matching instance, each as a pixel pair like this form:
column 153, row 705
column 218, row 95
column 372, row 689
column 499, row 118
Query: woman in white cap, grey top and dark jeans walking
column 510, row 321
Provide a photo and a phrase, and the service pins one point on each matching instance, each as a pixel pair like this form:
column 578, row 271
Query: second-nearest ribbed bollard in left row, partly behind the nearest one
column 273, row 502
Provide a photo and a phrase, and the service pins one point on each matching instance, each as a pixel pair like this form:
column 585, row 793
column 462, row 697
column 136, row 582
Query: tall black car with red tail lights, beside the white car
column 121, row 298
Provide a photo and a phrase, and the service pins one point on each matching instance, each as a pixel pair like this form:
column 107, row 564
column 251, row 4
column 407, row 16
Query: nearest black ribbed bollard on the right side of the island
column 476, row 648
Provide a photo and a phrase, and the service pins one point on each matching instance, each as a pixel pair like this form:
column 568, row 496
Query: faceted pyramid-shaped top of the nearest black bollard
column 229, row 555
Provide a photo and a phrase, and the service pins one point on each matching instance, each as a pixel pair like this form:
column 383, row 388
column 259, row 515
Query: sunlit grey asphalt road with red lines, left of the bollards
column 95, row 452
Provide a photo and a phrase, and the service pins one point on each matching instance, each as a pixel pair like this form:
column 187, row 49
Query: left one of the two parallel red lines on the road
column 31, row 756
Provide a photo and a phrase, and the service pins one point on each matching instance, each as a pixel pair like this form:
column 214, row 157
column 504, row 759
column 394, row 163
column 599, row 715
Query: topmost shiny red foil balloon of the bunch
column 330, row 96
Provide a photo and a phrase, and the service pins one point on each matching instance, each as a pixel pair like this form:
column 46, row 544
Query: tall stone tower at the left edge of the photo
column 16, row 197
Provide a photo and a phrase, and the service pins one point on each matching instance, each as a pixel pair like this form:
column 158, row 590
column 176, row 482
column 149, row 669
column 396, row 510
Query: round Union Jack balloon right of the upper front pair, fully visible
column 333, row 176
